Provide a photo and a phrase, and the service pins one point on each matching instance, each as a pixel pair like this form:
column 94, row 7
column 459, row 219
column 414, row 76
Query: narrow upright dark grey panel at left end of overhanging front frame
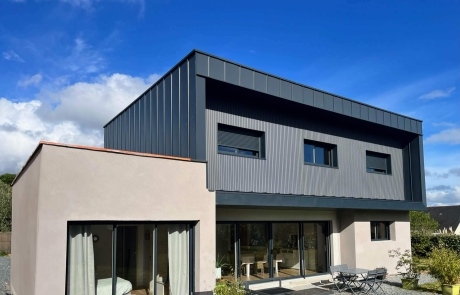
column 200, row 119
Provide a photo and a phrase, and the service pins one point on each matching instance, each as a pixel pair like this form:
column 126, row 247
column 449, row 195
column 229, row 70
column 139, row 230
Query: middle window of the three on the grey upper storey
column 320, row 153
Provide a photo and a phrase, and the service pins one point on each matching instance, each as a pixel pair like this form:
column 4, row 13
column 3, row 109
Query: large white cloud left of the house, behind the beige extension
column 75, row 113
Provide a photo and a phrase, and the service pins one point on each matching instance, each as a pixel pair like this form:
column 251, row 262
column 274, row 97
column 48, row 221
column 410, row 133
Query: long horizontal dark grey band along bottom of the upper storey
column 238, row 199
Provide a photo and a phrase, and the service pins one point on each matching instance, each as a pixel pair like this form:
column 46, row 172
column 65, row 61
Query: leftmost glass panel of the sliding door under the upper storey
column 226, row 252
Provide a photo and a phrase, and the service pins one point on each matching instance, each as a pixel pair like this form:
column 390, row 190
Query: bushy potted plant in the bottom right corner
column 444, row 265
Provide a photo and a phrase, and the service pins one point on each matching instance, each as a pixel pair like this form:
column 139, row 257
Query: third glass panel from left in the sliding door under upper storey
column 286, row 255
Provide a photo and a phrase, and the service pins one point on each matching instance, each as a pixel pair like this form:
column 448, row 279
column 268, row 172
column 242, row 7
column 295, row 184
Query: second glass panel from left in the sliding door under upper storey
column 254, row 242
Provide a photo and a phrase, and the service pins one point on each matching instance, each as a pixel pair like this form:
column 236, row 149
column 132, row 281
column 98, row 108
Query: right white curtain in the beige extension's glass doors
column 178, row 256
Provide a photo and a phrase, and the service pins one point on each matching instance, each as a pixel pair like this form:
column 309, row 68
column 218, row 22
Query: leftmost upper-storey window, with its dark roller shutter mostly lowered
column 240, row 141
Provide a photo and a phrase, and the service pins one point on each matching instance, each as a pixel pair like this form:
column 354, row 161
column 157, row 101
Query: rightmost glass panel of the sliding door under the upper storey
column 315, row 259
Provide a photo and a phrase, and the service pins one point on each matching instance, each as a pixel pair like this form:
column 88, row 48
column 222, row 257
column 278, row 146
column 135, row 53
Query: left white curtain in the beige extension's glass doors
column 81, row 279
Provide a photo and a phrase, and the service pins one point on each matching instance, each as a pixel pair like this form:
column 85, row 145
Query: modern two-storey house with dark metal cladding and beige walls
column 218, row 162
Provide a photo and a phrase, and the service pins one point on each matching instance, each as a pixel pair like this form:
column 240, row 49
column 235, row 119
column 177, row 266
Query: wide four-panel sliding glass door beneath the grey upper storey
column 255, row 251
